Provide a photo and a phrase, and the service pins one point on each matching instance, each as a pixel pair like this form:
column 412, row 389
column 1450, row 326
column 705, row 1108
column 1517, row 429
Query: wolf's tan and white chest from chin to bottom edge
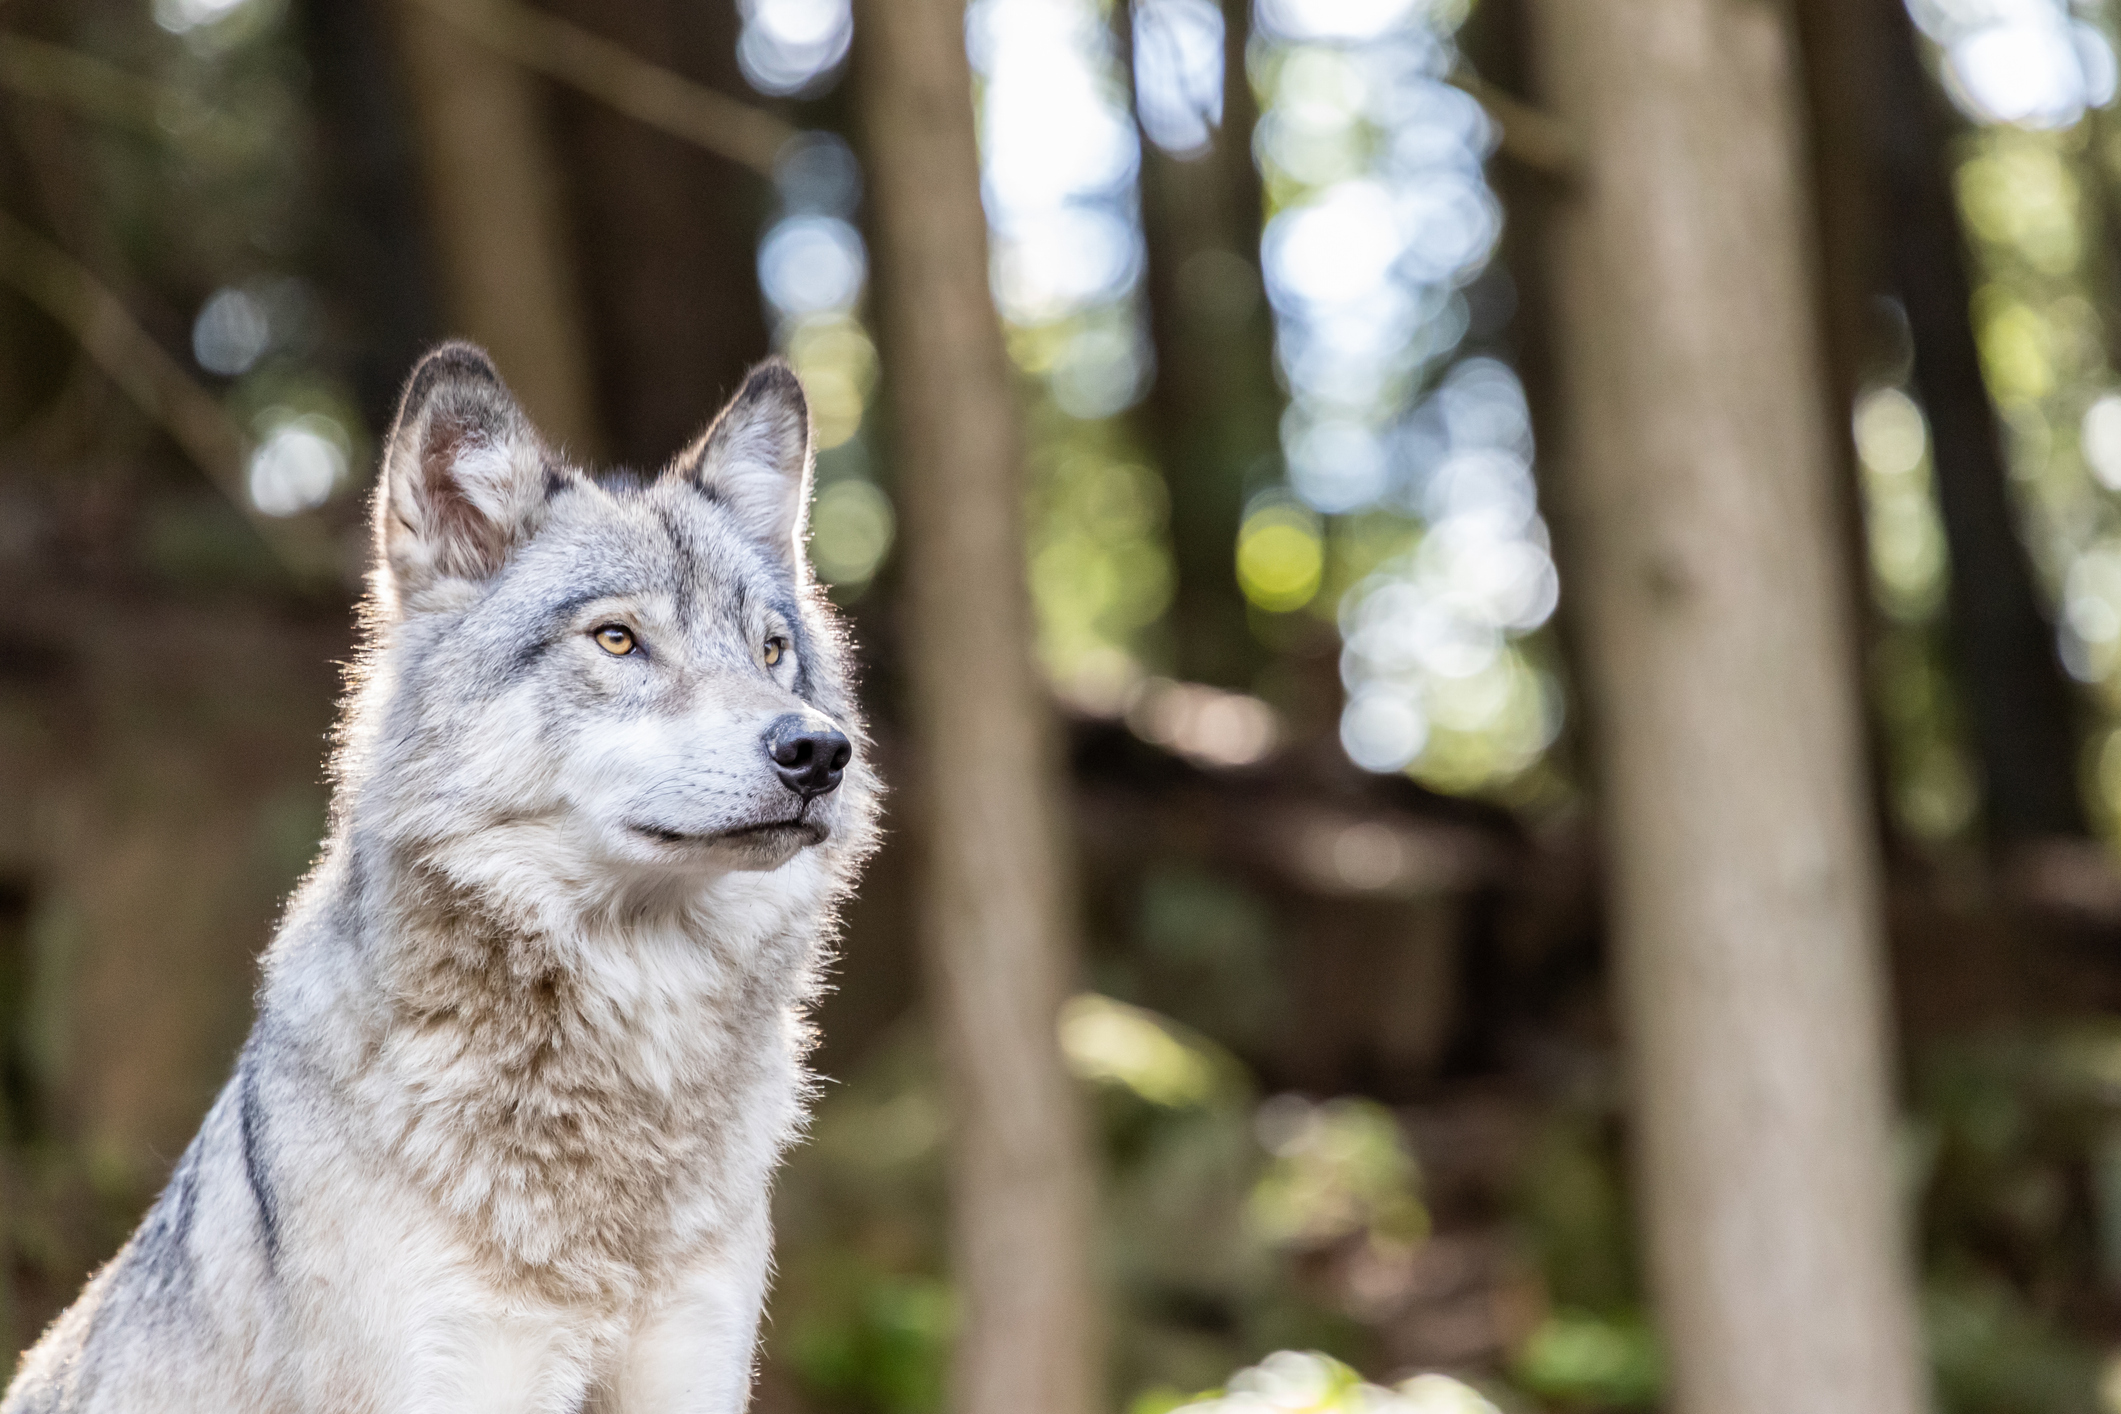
column 569, row 1144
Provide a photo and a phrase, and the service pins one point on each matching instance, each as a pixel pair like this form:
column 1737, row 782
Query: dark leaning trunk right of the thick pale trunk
column 1889, row 226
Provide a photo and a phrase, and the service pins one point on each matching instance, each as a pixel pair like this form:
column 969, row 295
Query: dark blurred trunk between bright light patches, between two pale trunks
column 1214, row 410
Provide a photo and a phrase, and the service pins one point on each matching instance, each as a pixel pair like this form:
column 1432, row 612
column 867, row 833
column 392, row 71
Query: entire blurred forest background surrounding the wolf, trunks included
column 1369, row 406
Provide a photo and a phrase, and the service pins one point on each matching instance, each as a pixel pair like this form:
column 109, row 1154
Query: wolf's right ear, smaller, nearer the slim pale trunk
column 756, row 461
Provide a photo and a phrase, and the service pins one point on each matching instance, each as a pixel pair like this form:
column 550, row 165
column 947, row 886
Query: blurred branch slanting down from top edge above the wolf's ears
column 614, row 75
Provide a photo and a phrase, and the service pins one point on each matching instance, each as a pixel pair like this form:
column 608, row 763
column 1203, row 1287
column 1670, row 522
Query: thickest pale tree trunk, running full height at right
column 1694, row 474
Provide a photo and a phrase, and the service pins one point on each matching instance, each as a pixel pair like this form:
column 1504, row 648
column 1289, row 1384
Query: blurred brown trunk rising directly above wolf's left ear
column 497, row 228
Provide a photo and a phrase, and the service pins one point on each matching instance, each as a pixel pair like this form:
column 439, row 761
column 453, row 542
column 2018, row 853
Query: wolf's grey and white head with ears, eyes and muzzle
column 601, row 686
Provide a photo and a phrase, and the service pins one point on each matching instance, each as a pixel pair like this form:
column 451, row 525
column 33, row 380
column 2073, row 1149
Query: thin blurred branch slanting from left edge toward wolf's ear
column 65, row 289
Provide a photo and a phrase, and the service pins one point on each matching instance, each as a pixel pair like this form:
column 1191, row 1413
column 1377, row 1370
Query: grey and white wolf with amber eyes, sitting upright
column 531, row 1036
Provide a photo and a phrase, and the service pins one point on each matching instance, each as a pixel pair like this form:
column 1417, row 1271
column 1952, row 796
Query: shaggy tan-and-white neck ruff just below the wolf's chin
column 589, row 1106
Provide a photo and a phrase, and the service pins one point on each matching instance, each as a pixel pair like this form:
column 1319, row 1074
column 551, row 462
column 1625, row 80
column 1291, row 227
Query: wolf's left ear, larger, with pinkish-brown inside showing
column 463, row 474
